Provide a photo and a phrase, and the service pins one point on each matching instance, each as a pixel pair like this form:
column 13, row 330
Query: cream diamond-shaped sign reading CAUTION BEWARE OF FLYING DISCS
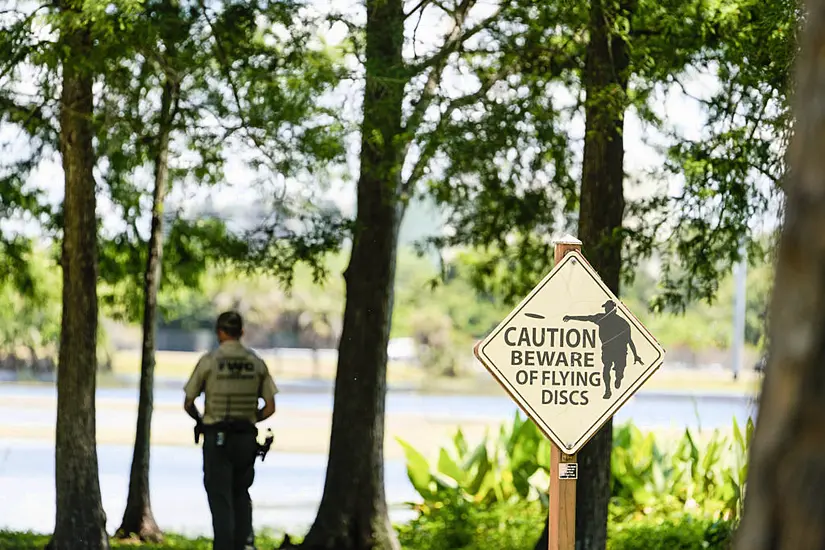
column 570, row 354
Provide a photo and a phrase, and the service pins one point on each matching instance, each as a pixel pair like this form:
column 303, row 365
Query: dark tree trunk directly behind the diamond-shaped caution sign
column 601, row 212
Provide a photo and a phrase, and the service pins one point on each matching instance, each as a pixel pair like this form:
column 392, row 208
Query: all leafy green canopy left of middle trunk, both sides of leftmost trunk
column 244, row 78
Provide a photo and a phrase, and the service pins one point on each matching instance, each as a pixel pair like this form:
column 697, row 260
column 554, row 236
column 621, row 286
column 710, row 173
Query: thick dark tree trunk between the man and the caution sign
column 353, row 512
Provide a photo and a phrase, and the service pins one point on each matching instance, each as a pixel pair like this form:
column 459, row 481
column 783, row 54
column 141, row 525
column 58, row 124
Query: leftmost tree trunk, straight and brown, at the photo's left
column 80, row 521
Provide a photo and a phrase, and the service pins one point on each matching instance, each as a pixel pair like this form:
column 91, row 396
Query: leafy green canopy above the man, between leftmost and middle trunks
column 245, row 79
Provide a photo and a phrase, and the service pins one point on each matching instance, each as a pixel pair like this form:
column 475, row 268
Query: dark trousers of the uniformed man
column 228, row 472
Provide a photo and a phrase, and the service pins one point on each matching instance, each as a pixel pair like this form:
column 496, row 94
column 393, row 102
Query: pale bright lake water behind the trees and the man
column 287, row 487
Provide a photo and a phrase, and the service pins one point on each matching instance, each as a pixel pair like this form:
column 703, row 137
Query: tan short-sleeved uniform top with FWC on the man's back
column 233, row 377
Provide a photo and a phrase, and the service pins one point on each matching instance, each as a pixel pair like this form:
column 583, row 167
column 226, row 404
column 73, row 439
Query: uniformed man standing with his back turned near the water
column 233, row 378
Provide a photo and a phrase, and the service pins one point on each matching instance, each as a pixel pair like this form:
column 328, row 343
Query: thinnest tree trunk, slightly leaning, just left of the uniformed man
column 138, row 518
